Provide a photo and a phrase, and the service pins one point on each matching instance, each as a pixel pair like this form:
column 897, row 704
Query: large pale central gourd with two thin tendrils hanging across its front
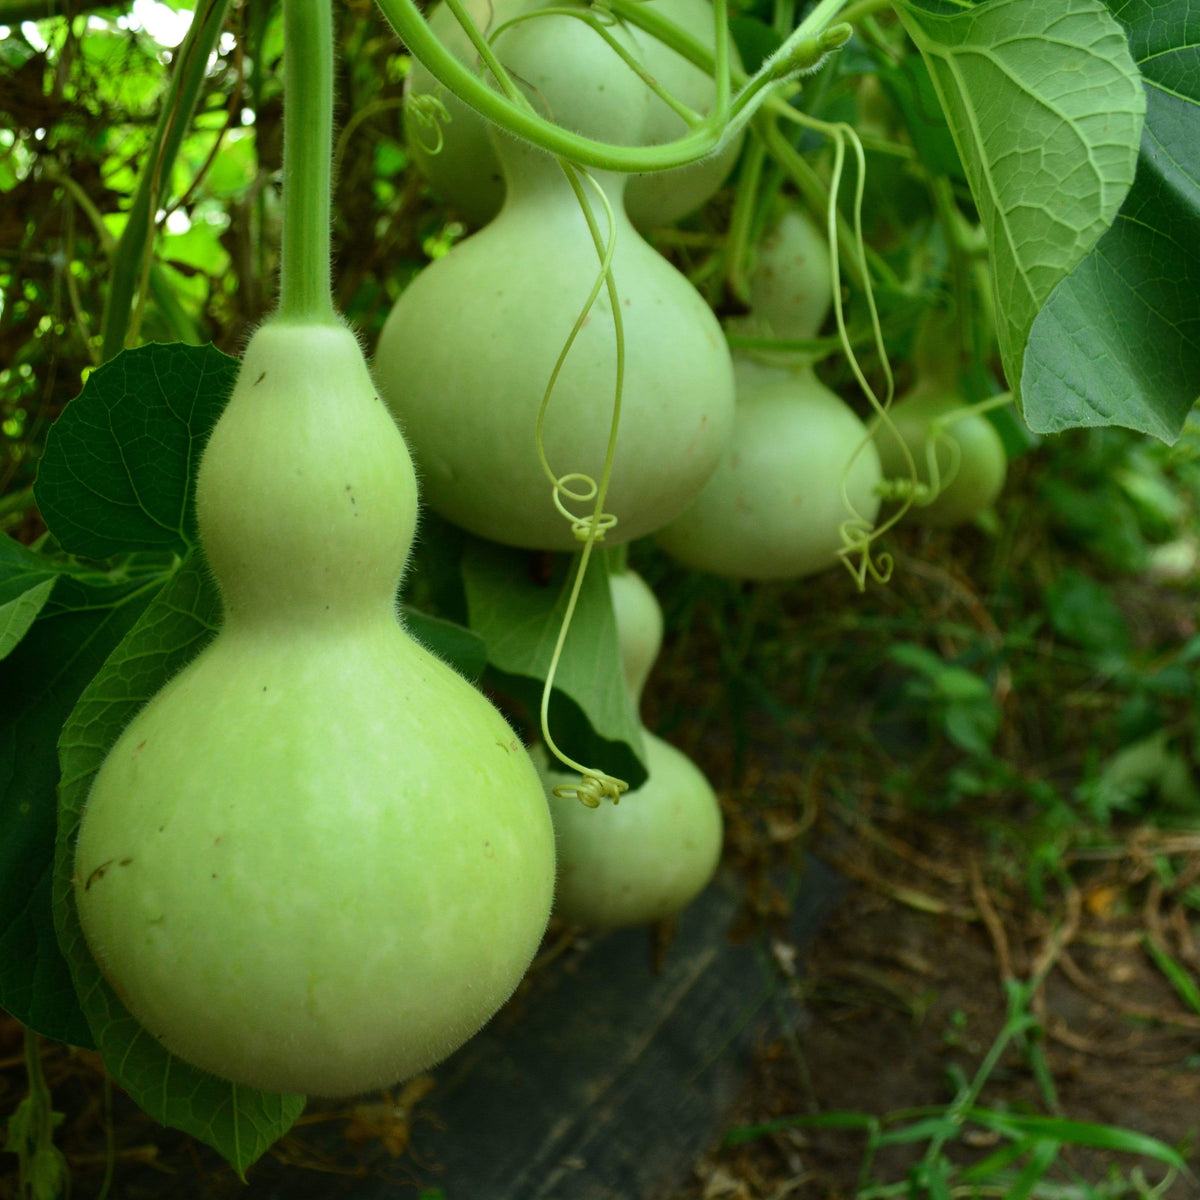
column 471, row 345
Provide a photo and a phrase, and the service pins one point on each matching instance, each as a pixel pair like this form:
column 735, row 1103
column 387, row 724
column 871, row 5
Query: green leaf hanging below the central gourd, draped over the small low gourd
column 519, row 617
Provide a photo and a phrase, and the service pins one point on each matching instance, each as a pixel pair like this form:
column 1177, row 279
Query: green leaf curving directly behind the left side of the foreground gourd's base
column 239, row 1123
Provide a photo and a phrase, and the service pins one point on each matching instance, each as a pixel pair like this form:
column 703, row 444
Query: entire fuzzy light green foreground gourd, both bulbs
column 317, row 861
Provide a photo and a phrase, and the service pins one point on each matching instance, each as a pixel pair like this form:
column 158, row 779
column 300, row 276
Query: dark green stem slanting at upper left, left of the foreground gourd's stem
column 134, row 251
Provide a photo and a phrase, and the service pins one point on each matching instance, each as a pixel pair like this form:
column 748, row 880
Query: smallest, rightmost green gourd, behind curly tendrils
column 983, row 463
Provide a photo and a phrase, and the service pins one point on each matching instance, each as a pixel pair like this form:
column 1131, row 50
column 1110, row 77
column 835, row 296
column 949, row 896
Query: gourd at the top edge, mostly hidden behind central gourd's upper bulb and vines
column 463, row 167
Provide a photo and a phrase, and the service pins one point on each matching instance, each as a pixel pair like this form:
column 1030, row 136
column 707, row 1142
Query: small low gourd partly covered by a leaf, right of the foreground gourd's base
column 647, row 857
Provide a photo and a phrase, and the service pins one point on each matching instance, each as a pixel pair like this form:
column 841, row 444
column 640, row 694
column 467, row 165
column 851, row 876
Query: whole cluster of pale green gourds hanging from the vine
column 319, row 861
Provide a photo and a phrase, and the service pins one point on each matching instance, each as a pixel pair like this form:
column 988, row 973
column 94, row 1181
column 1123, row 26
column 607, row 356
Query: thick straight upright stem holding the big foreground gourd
column 305, row 293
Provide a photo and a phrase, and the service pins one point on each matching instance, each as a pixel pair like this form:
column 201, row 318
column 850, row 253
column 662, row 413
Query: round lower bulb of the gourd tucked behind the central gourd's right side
column 775, row 508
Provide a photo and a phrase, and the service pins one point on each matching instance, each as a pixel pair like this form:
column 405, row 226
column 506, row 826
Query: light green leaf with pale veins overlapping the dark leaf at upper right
column 1046, row 105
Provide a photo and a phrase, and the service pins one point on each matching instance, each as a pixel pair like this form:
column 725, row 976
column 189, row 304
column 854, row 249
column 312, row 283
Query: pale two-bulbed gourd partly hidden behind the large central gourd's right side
column 775, row 508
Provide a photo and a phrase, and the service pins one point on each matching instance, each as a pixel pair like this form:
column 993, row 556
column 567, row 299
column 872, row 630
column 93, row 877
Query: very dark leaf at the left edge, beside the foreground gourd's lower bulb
column 40, row 683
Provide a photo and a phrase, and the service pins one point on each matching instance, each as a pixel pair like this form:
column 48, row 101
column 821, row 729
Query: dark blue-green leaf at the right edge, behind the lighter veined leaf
column 1119, row 340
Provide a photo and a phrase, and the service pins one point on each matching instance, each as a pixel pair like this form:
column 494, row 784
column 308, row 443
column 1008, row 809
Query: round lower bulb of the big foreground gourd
column 315, row 865
